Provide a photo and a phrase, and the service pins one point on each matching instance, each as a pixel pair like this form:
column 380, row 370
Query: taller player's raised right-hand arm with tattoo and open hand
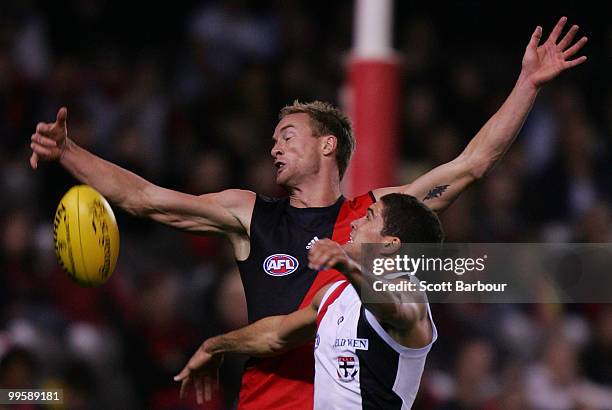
column 541, row 63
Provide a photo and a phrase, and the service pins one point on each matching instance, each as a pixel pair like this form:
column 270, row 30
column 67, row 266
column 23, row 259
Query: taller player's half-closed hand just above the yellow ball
column 49, row 140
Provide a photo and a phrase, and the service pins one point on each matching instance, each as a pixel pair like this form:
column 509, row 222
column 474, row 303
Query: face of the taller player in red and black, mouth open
column 296, row 150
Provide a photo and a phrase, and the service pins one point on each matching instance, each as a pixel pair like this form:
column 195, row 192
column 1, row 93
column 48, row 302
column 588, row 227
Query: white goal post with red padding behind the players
column 374, row 98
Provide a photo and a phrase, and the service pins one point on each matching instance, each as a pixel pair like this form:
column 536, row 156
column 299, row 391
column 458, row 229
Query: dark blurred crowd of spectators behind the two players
column 187, row 96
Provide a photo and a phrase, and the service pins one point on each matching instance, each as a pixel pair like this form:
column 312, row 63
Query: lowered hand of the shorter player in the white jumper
column 203, row 371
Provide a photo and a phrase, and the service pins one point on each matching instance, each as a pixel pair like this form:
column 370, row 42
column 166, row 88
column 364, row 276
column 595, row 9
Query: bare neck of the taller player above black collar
column 316, row 193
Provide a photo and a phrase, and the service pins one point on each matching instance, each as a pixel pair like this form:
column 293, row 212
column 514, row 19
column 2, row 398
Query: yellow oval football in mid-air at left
column 86, row 236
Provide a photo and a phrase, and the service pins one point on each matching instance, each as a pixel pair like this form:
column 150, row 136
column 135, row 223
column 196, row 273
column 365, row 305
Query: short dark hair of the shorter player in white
column 410, row 220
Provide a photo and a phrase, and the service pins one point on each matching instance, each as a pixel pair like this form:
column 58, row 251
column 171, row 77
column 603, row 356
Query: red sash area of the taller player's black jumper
column 286, row 381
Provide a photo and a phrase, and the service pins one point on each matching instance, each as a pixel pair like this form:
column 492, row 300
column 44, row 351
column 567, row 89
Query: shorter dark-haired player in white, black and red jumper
column 367, row 354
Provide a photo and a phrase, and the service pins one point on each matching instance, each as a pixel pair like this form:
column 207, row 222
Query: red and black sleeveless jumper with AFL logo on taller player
column 277, row 281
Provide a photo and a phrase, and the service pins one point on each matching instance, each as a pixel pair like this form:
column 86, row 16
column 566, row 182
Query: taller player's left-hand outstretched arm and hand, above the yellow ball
column 226, row 212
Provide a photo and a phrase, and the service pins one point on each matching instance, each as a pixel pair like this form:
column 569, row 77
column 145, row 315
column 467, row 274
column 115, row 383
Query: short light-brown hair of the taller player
column 327, row 120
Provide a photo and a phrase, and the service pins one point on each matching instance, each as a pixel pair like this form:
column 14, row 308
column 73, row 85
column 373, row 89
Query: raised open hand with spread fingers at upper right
column 542, row 63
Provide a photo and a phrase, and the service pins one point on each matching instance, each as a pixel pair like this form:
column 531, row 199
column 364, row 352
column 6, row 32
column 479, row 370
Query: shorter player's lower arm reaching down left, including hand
column 266, row 337
